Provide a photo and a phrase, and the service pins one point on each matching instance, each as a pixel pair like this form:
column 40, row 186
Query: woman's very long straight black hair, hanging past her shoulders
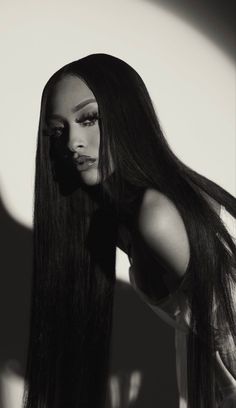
column 74, row 268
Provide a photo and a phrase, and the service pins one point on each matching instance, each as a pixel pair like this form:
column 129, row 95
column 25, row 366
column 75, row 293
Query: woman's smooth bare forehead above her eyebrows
column 67, row 93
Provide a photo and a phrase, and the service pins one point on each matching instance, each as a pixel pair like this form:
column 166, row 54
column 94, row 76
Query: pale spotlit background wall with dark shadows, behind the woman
column 184, row 53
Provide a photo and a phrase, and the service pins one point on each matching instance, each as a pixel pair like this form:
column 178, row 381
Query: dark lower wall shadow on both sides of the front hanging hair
column 143, row 355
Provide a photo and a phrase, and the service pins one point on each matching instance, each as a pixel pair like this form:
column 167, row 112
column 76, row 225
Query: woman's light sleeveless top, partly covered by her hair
column 174, row 310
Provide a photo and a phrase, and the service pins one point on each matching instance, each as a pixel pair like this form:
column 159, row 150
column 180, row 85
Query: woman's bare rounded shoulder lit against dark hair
column 162, row 228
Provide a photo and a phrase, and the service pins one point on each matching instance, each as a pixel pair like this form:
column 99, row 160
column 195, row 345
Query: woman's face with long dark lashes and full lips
column 74, row 117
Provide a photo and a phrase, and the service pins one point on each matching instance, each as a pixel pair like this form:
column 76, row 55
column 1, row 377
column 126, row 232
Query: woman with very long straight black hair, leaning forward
column 106, row 177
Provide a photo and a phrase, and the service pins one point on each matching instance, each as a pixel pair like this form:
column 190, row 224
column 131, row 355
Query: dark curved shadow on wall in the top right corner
column 215, row 19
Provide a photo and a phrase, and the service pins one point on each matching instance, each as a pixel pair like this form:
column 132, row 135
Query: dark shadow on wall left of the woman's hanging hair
column 15, row 282
